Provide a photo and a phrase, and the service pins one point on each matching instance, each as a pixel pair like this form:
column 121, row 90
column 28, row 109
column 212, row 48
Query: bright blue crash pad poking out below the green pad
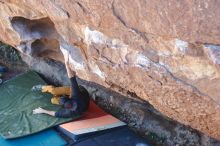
column 44, row 138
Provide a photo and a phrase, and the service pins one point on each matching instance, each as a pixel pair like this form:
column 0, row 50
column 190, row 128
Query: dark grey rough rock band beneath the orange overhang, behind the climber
column 138, row 114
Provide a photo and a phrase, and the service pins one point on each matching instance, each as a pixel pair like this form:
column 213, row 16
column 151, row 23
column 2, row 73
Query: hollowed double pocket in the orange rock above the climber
column 38, row 37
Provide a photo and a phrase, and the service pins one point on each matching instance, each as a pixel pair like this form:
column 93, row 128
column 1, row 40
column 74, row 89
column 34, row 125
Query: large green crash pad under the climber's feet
column 17, row 102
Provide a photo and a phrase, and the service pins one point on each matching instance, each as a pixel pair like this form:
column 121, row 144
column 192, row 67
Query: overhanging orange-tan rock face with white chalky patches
column 165, row 52
